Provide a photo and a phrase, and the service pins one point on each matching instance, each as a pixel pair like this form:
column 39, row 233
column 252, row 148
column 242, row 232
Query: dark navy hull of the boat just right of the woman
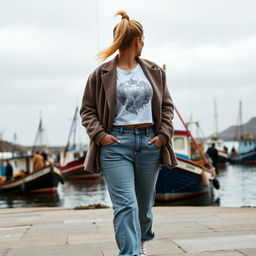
column 180, row 182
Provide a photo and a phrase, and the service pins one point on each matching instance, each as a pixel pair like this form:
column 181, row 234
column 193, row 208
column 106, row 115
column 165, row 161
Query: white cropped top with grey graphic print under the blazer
column 133, row 95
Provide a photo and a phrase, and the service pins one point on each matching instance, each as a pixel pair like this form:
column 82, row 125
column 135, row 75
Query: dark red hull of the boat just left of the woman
column 75, row 170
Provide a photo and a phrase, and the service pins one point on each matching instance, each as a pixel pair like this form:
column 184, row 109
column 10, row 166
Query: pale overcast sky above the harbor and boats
column 47, row 51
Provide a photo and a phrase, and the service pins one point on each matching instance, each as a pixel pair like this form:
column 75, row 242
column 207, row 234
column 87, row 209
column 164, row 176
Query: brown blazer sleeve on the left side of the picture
column 88, row 111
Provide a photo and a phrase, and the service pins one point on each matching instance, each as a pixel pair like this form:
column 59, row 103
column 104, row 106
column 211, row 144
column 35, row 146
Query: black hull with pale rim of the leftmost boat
column 45, row 180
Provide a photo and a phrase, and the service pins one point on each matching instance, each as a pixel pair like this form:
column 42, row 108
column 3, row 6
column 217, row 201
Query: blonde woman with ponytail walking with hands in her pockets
column 127, row 112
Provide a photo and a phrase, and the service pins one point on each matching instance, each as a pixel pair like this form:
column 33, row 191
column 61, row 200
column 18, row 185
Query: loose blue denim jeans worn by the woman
column 130, row 169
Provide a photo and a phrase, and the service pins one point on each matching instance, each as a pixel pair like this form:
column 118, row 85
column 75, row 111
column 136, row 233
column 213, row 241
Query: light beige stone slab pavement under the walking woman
column 180, row 231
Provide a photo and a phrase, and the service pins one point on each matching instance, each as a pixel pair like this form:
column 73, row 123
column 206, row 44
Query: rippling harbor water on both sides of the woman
column 237, row 189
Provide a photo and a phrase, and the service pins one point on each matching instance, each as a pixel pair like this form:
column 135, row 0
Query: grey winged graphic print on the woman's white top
column 134, row 95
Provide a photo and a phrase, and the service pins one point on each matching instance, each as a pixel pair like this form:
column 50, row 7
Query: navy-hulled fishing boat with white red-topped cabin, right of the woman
column 189, row 178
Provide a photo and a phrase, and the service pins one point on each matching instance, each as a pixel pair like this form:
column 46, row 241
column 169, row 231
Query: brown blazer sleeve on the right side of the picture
column 166, row 130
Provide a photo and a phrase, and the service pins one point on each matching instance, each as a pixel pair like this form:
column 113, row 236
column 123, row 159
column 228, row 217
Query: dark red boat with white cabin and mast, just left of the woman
column 72, row 158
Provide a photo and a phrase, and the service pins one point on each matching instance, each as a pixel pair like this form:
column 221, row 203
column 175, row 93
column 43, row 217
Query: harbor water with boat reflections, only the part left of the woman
column 72, row 193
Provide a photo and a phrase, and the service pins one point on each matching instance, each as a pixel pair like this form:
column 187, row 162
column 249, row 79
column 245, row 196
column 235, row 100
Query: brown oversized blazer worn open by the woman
column 99, row 105
